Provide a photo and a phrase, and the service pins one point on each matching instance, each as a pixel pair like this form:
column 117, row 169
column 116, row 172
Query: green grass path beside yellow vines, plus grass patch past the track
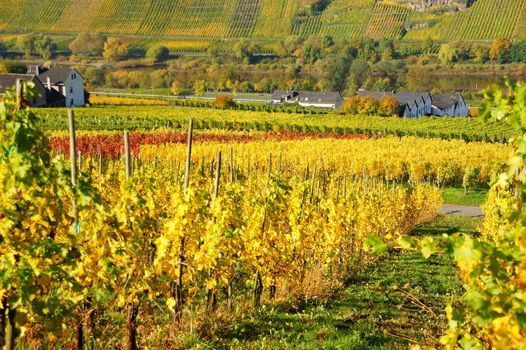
column 397, row 301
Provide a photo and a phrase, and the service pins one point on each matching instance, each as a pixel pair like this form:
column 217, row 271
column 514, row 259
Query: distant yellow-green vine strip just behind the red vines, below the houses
column 141, row 118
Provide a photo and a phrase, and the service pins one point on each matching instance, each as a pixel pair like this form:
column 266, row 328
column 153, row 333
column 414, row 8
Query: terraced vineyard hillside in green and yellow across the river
column 269, row 19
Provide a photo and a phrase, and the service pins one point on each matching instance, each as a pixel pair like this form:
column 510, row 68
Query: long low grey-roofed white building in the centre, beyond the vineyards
column 317, row 99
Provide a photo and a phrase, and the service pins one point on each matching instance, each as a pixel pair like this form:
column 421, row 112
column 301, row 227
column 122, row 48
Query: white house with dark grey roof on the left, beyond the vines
column 66, row 81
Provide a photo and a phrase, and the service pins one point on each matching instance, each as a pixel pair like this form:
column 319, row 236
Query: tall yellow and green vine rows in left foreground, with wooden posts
column 150, row 243
